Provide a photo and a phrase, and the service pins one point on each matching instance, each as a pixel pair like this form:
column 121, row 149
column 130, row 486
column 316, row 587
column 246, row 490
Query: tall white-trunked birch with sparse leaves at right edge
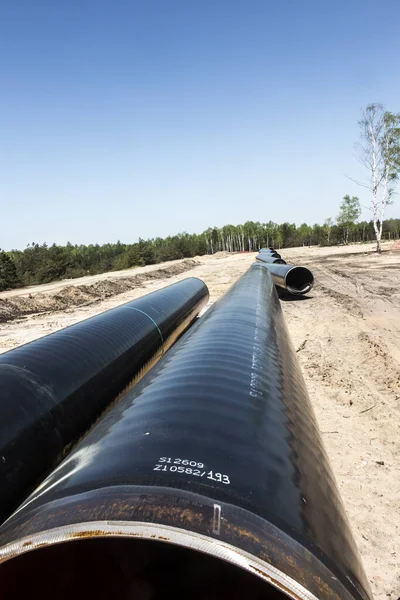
column 379, row 152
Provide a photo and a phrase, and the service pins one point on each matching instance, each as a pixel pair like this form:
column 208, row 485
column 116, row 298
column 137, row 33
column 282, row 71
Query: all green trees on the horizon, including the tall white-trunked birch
column 378, row 151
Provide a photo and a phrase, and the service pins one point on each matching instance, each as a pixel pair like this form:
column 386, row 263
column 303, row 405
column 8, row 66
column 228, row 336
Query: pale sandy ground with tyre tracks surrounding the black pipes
column 347, row 337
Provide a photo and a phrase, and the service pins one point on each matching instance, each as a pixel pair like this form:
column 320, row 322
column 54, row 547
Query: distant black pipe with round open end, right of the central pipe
column 294, row 280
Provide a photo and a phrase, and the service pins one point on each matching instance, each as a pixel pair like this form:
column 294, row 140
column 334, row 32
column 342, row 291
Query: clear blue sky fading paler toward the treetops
column 121, row 119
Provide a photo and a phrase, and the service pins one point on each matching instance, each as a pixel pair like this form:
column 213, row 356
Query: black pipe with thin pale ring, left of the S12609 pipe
column 53, row 389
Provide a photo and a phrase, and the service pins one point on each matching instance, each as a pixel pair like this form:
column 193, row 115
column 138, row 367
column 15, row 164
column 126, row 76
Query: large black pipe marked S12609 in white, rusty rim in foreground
column 217, row 450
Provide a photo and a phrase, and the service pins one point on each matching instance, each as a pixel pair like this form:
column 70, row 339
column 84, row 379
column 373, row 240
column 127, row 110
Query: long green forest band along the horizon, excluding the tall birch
column 42, row 263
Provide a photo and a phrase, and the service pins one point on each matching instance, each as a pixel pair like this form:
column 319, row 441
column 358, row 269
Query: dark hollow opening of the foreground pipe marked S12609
column 128, row 569
